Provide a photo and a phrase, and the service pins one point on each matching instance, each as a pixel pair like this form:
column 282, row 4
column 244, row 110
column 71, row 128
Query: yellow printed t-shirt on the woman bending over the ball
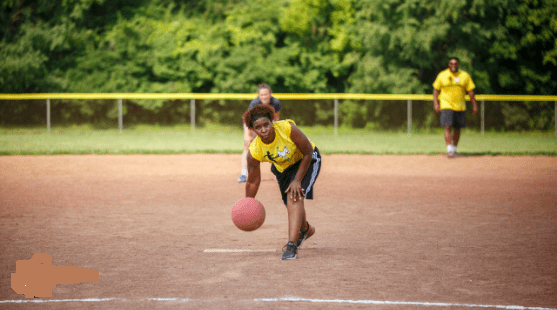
column 282, row 152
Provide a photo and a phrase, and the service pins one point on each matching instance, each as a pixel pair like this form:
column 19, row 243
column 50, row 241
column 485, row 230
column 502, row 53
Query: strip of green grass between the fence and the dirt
column 227, row 140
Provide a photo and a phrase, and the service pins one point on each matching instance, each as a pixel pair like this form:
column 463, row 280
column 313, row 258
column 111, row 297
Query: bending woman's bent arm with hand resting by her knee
column 303, row 144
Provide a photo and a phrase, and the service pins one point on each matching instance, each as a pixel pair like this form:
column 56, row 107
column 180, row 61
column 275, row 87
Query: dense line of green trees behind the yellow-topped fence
column 296, row 46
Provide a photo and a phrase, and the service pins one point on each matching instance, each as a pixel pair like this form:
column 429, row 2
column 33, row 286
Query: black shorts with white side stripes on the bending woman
column 287, row 176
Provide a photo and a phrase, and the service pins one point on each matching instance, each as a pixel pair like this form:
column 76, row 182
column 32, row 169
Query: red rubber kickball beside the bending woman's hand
column 248, row 214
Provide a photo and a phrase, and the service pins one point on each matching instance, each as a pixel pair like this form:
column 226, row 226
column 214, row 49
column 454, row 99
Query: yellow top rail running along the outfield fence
column 285, row 96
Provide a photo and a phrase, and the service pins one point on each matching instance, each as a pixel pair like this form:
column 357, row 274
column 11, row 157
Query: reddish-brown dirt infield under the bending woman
column 393, row 232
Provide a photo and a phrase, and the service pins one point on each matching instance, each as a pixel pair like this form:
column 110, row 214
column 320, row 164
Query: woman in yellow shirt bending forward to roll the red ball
column 296, row 163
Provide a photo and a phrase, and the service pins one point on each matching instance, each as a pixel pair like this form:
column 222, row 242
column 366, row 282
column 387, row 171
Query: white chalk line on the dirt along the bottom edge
column 291, row 299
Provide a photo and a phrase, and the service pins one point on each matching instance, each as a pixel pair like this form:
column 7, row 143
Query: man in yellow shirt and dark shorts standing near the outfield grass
column 450, row 88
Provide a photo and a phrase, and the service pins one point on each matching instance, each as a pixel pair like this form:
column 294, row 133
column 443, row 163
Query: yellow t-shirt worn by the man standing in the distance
column 453, row 87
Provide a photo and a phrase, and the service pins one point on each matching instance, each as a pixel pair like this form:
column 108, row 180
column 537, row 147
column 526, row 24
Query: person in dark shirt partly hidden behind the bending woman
column 263, row 97
